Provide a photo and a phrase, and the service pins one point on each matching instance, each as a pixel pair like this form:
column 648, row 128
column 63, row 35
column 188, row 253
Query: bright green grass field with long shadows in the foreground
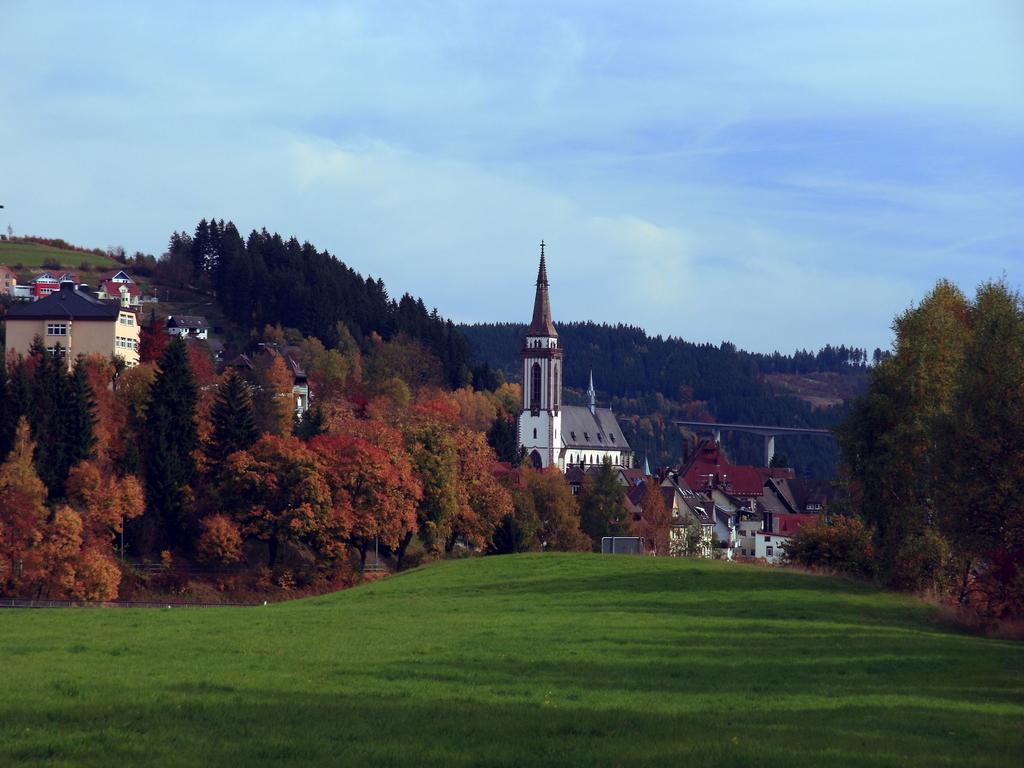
column 534, row 660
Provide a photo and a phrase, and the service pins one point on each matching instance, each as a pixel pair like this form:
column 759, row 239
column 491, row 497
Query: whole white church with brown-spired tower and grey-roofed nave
column 550, row 433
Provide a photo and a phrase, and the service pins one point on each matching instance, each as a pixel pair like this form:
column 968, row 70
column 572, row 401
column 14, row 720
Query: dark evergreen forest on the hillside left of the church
column 267, row 280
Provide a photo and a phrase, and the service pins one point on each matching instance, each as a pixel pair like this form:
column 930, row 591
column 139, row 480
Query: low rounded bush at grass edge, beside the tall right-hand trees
column 843, row 545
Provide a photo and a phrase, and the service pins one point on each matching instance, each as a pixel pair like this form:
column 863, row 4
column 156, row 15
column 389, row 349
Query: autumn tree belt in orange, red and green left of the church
column 170, row 462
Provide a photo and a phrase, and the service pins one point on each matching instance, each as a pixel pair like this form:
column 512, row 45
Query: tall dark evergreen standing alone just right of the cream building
column 170, row 440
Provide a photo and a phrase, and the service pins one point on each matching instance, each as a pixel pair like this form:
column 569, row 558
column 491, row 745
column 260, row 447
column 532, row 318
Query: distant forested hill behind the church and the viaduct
column 652, row 380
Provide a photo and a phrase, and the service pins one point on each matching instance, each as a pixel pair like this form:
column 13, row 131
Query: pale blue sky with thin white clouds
column 778, row 175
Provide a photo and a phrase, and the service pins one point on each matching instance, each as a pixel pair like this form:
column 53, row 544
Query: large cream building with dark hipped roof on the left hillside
column 72, row 323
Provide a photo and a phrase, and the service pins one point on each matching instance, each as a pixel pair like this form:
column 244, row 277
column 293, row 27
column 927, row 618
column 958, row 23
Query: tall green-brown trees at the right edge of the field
column 933, row 458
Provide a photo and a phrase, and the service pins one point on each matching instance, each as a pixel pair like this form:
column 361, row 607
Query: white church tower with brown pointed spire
column 540, row 420
